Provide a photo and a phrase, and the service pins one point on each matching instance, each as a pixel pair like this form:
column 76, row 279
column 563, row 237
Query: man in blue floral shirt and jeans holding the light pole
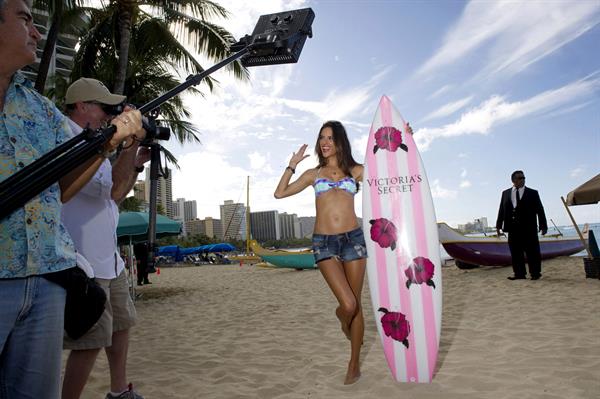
column 33, row 242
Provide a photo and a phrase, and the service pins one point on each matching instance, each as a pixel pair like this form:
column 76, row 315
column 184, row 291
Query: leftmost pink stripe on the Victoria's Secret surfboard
column 382, row 278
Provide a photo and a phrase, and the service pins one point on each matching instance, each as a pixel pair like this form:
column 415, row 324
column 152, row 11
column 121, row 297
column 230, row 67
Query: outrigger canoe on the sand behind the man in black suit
column 494, row 251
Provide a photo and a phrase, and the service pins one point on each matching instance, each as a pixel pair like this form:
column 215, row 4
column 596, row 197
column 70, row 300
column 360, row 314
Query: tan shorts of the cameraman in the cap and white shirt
column 118, row 315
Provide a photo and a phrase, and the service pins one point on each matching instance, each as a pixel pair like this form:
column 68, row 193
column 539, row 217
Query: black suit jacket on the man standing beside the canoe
column 528, row 212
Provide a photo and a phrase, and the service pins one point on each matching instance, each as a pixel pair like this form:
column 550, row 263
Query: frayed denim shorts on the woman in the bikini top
column 345, row 246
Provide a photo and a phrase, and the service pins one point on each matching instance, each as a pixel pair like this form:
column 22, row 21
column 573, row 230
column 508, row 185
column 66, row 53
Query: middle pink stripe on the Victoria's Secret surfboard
column 405, row 301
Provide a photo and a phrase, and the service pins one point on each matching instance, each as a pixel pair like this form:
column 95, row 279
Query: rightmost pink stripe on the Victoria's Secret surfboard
column 422, row 249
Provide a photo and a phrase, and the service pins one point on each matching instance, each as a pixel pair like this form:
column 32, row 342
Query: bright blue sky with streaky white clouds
column 489, row 87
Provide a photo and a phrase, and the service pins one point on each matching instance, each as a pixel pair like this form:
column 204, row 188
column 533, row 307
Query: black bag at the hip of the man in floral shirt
column 85, row 300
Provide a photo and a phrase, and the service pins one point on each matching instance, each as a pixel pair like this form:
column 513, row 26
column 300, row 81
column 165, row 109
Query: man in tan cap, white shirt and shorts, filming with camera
column 91, row 219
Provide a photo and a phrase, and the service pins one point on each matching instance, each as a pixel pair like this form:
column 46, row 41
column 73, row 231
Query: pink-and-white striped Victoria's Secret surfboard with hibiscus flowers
column 404, row 269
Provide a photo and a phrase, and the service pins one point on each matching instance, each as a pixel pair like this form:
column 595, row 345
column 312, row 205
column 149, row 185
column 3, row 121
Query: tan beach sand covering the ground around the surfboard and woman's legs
column 249, row 332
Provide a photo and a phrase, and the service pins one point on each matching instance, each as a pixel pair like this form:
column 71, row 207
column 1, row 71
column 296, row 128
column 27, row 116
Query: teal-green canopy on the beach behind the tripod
column 133, row 227
